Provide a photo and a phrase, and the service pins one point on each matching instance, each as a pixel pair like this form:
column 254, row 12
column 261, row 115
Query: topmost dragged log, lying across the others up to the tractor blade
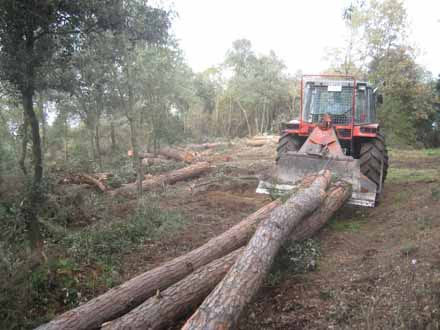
column 223, row 306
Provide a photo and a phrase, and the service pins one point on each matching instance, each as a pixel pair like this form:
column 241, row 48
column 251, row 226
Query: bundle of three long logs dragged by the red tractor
column 222, row 275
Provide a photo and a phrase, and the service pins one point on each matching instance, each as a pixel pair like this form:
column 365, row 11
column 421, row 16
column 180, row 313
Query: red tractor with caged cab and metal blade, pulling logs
column 337, row 129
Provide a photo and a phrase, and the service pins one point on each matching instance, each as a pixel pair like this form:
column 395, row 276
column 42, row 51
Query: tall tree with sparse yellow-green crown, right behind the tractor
column 377, row 49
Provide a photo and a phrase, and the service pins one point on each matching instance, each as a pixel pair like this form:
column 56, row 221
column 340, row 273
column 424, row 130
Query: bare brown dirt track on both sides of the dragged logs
column 379, row 268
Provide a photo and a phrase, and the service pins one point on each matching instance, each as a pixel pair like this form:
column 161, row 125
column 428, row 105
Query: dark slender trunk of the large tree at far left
column 35, row 194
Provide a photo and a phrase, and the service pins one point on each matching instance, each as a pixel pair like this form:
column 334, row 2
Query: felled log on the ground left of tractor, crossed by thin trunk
column 166, row 179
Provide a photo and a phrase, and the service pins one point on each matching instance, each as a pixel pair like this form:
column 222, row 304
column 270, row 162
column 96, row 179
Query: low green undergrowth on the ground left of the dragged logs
column 81, row 262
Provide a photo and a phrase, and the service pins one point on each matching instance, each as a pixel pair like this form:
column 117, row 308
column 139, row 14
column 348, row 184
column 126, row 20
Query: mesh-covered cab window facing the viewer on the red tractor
column 333, row 100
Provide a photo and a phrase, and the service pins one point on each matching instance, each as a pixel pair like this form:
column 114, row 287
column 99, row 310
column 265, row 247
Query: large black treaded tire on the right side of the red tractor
column 372, row 154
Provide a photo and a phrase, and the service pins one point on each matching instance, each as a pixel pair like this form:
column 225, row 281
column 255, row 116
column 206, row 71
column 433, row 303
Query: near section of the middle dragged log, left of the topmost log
column 178, row 300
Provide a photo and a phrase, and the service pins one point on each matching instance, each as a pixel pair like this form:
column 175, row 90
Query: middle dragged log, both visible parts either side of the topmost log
column 183, row 297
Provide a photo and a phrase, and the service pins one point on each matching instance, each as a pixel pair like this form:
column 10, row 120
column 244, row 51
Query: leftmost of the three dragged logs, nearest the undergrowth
column 121, row 299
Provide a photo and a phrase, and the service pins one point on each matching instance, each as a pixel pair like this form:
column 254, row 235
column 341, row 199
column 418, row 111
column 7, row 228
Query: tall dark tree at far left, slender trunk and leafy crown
column 38, row 35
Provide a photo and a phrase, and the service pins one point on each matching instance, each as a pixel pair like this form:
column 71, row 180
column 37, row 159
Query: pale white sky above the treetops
column 299, row 31
